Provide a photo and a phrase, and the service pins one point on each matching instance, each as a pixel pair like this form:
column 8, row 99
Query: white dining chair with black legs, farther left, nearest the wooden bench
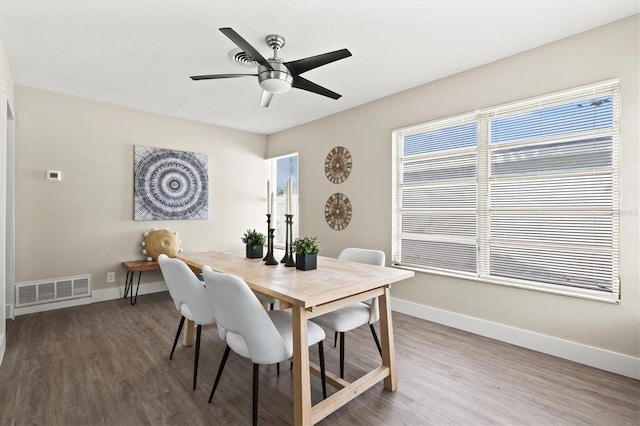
column 190, row 297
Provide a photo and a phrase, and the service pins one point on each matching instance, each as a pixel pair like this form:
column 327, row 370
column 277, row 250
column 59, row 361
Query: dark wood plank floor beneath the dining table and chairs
column 107, row 364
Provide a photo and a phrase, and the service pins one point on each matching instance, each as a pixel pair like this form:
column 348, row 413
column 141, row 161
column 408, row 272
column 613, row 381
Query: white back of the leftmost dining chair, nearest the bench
column 186, row 289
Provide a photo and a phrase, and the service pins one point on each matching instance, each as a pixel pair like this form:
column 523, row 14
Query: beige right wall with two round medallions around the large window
column 606, row 52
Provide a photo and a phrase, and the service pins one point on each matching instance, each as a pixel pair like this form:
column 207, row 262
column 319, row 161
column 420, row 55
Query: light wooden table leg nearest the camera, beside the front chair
column 301, row 378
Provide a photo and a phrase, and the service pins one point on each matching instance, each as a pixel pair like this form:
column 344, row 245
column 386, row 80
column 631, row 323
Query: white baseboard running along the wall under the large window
column 594, row 357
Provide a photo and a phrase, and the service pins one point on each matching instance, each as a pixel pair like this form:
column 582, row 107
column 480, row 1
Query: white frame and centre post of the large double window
column 483, row 231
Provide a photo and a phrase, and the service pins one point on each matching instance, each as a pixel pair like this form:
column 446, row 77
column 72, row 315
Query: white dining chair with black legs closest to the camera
column 265, row 337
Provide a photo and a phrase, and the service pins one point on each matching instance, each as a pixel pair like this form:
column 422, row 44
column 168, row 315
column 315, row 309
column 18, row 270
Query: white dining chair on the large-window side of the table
column 358, row 314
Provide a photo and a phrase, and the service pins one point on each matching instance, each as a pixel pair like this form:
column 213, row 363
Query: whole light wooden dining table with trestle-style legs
column 333, row 285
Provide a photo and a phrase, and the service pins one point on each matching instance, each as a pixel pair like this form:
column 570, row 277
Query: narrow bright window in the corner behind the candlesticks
column 279, row 171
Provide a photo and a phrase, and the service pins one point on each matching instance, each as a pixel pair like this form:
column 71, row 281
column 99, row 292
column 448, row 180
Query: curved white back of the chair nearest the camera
column 239, row 312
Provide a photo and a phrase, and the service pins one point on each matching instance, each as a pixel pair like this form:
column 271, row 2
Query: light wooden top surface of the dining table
column 332, row 280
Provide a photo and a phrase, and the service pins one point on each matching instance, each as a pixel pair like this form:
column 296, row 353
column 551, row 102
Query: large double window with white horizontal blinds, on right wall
column 524, row 194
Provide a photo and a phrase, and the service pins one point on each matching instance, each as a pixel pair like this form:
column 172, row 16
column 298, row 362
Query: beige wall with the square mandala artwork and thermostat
column 84, row 224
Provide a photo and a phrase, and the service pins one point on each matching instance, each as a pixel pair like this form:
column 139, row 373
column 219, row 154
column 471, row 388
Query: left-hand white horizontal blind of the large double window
column 436, row 195
